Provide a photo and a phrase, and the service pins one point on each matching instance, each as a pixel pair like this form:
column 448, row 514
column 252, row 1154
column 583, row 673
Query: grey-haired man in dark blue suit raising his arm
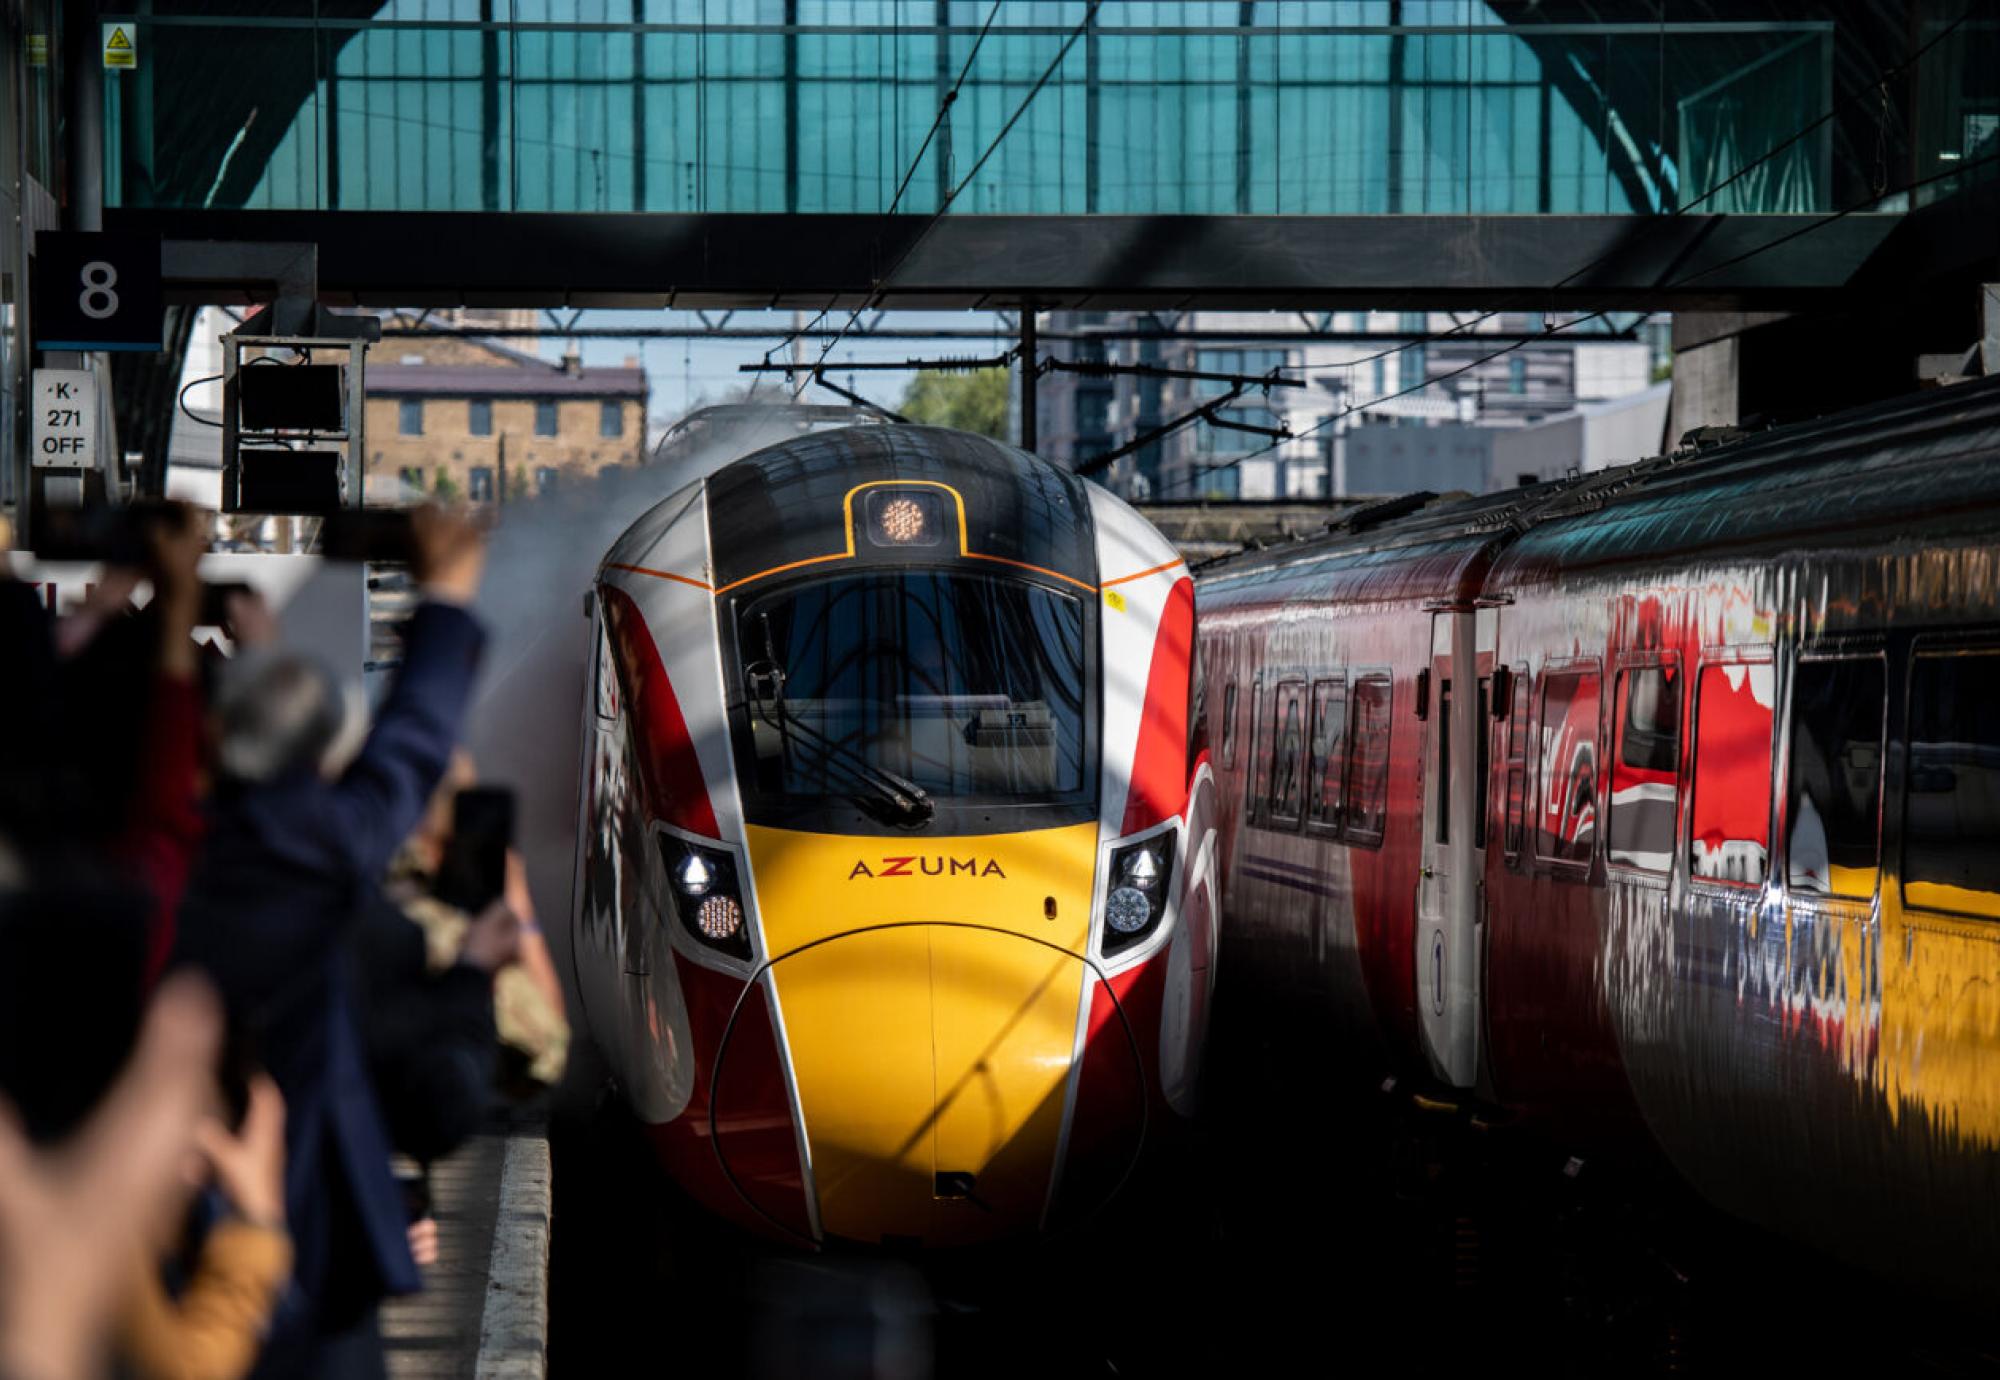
column 305, row 819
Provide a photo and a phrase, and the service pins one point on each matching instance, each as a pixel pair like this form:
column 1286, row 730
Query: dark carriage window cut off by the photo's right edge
column 1953, row 805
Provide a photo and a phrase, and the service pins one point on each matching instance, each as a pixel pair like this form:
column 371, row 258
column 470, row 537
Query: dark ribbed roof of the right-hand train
column 1927, row 461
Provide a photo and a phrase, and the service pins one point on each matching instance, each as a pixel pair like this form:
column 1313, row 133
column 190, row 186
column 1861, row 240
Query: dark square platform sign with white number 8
column 97, row 293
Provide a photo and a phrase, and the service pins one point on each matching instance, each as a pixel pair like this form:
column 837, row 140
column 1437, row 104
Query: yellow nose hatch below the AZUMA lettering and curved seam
column 931, row 1065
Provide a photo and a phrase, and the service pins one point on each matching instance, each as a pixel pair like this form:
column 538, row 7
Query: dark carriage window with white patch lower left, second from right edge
column 1835, row 781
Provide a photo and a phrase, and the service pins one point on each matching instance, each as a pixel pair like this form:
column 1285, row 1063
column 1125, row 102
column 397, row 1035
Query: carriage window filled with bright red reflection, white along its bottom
column 1729, row 839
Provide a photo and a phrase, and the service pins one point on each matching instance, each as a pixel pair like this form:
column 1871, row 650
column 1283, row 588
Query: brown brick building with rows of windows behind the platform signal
column 473, row 409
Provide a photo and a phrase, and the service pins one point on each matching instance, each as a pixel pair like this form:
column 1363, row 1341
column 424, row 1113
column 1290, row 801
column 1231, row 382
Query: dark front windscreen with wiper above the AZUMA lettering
column 967, row 687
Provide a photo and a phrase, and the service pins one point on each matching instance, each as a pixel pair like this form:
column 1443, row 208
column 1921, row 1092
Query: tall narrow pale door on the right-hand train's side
column 1449, row 953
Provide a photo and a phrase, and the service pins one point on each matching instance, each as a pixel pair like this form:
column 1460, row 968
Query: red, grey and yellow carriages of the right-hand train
column 1657, row 803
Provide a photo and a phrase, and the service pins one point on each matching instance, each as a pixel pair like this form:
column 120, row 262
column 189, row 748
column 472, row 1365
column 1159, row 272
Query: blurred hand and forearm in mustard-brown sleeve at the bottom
column 215, row 1327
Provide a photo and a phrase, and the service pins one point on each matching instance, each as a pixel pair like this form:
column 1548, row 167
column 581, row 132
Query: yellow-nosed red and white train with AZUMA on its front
column 895, row 899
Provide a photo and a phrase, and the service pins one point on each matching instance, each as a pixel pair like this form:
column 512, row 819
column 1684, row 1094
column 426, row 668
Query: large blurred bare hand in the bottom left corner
column 75, row 1219
